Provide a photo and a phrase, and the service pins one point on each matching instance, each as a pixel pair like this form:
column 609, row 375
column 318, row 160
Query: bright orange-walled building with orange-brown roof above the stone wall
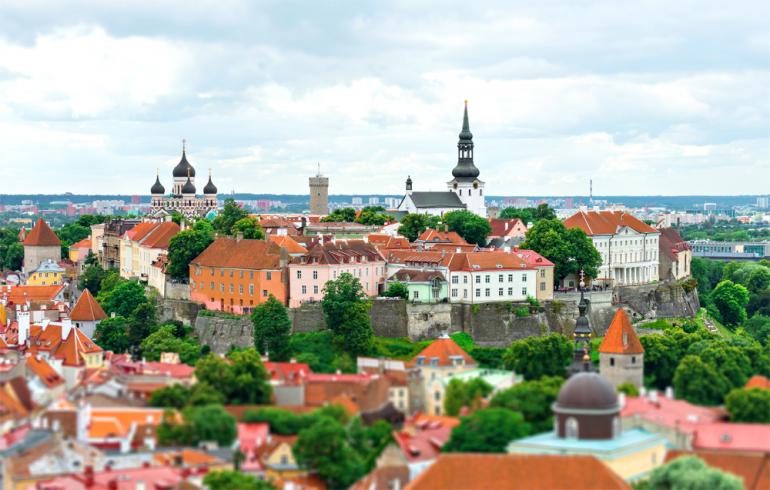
column 235, row 275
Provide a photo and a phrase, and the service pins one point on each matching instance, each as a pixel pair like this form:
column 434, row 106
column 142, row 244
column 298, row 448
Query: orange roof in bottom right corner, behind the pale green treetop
column 753, row 469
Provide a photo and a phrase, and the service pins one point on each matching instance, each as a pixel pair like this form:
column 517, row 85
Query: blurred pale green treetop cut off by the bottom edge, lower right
column 690, row 472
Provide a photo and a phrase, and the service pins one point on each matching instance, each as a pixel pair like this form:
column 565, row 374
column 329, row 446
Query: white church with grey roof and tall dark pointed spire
column 464, row 191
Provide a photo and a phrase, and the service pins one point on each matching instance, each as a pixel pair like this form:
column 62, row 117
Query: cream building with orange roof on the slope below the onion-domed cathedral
column 141, row 246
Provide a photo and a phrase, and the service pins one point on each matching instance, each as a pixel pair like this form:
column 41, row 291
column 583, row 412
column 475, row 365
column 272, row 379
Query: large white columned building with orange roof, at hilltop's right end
column 629, row 247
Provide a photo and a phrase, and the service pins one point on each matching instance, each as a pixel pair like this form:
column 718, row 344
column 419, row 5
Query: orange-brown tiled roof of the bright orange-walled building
column 243, row 254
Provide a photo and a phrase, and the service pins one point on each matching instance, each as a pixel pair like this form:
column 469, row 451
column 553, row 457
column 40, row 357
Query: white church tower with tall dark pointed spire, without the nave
column 466, row 183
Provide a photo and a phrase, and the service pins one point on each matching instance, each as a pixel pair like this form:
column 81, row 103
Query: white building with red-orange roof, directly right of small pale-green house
column 490, row 277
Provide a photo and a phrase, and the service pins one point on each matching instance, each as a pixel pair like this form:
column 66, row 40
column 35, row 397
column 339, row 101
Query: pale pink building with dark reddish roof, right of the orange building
column 326, row 262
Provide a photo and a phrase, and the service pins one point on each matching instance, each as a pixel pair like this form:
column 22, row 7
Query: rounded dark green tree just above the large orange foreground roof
column 489, row 430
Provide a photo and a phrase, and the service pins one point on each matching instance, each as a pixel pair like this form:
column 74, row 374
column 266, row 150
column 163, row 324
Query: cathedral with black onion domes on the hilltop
column 183, row 197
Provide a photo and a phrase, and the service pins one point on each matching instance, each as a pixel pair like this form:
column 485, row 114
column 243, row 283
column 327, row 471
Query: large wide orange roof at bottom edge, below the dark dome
column 516, row 471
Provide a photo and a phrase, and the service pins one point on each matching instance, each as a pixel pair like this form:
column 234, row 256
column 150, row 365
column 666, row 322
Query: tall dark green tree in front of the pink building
column 347, row 314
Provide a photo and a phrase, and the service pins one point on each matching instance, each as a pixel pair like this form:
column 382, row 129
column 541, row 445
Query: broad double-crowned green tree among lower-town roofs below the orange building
column 242, row 381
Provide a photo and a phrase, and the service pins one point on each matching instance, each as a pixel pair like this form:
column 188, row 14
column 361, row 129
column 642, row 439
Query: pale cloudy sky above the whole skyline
column 645, row 98
